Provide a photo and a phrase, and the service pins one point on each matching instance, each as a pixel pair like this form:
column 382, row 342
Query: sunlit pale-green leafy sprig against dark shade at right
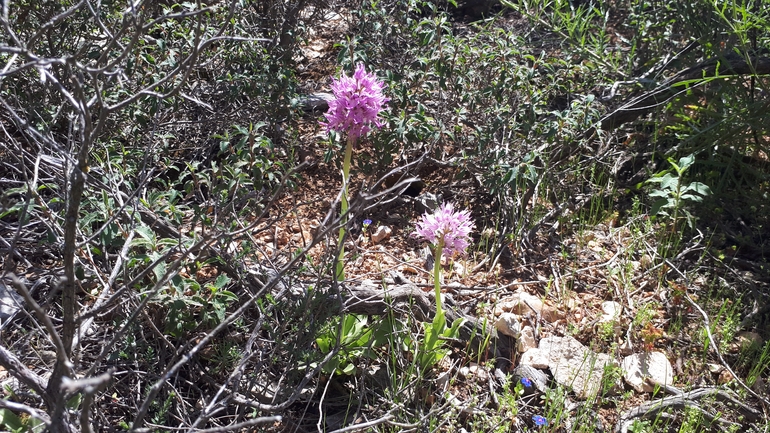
column 673, row 191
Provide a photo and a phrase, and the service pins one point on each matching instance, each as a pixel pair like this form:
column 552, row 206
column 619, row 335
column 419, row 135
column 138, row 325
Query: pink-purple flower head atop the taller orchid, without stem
column 358, row 100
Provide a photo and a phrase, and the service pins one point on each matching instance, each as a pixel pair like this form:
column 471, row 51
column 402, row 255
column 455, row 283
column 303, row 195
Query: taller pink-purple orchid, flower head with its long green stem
column 355, row 109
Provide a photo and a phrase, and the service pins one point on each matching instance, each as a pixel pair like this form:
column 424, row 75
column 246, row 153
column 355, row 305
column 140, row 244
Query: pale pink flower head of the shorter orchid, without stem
column 445, row 224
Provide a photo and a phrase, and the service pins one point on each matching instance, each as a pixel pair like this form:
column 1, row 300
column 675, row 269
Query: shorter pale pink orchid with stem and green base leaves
column 449, row 233
